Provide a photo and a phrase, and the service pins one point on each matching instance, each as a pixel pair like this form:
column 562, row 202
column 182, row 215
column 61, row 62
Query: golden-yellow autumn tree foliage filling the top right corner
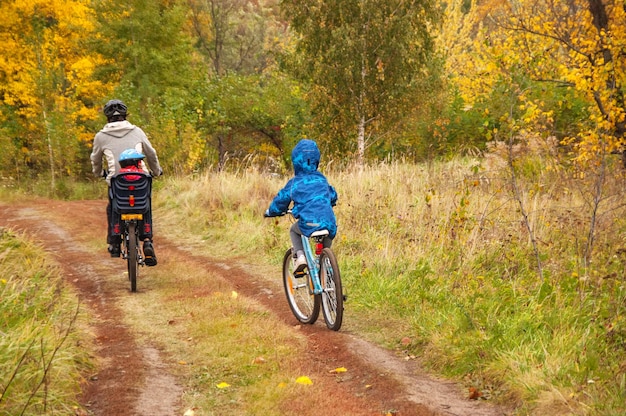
column 553, row 56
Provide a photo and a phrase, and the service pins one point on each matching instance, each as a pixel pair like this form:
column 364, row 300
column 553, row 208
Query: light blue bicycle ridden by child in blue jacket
column 319, row 283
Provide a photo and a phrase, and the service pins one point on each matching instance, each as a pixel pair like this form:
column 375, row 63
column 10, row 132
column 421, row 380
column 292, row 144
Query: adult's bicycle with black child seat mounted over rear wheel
column 130, row 196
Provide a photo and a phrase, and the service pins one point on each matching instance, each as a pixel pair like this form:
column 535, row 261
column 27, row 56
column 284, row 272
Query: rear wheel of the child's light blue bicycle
column 332, row 291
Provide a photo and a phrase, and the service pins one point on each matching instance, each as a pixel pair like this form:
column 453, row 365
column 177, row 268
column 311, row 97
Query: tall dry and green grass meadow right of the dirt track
column 439, row 253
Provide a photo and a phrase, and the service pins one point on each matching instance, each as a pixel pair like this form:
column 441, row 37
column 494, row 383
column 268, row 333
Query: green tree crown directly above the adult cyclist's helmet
column 140, row 58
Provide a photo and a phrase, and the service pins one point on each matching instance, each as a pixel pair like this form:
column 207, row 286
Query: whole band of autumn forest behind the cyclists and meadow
column 232, row 80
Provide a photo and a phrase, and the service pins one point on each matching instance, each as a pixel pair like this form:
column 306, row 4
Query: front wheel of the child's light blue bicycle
column 303, row 303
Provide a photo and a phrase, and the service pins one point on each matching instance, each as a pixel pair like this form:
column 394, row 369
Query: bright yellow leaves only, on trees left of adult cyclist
column 44, row 65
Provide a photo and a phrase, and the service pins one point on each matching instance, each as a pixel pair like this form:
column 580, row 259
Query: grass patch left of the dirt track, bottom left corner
column 41, row 357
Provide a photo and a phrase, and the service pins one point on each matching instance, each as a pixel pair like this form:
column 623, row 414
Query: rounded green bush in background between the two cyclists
column 244, row 114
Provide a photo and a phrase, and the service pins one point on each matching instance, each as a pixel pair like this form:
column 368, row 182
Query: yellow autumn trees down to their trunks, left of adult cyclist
column 46, row 89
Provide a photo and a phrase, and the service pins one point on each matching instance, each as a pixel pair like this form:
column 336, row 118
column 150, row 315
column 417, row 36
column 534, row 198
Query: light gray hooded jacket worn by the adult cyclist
column 116, row 137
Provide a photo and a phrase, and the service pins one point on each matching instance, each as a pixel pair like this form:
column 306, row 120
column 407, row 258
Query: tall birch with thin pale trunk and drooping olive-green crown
column 364, row 59
